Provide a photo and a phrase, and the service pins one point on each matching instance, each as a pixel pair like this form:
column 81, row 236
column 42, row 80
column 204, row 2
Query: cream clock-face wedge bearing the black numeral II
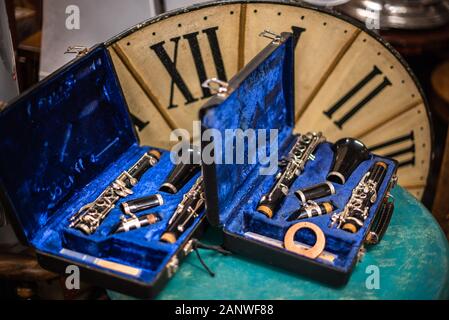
column 364, row 90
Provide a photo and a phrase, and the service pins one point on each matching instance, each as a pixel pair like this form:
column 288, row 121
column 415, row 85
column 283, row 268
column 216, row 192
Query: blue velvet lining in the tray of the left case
column 139, row 248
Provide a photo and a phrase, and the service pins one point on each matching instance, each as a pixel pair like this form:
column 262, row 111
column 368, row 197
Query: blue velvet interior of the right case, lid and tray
column 262, row 98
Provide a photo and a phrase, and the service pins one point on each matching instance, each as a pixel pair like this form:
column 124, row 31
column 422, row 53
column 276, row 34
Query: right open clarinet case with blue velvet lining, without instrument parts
column 261, row 97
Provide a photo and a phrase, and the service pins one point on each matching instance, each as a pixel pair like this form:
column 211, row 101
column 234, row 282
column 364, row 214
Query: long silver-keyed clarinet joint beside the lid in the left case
column 89, row 217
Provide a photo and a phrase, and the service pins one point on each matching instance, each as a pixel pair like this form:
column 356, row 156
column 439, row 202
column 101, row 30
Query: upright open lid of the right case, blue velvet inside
column 259, row 97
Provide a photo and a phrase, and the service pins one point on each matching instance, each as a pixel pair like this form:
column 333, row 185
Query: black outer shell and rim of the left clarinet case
column 97, row 276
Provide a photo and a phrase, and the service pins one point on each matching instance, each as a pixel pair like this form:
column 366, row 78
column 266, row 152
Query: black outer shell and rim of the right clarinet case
column 259, row 251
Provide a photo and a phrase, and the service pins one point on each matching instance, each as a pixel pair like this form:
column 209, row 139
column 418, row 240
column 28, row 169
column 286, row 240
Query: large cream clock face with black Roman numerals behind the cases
column 348, row 83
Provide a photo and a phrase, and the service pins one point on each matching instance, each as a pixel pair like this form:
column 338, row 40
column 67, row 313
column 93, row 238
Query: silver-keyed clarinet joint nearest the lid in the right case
column 295, row 162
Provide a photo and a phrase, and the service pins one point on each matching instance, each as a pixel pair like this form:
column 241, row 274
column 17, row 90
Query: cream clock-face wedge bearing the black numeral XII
column 172, row 58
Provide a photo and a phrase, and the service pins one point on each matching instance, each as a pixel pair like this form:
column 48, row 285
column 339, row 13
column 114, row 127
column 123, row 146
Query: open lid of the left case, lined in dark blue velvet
column 59, row 136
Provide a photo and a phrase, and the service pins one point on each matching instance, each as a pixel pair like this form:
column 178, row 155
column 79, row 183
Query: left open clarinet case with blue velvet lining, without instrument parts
column 63, row 142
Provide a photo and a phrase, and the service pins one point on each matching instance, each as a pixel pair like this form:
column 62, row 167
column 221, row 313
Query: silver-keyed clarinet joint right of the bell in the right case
column 363, row 197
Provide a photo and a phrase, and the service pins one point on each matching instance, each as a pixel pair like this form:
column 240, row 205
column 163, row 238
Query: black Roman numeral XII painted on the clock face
column 194, row 45
